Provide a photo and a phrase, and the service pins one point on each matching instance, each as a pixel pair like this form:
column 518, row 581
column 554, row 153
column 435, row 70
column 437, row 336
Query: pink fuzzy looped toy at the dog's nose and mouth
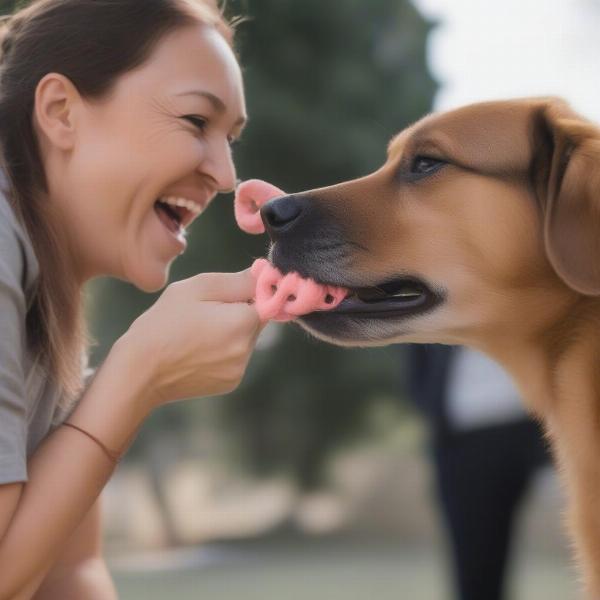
column 278, row 297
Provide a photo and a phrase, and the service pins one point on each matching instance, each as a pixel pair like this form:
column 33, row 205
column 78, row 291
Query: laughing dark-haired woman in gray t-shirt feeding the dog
column 116, row 119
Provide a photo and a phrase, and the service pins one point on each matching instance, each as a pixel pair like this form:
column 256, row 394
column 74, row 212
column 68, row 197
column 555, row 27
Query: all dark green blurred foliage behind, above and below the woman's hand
column 327, row 85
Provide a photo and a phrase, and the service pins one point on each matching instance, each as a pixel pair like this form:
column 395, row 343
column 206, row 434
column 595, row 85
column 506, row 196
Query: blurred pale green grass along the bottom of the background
column 341, row 569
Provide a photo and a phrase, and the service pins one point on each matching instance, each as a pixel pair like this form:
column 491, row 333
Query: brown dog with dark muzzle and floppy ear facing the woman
column 482, row 228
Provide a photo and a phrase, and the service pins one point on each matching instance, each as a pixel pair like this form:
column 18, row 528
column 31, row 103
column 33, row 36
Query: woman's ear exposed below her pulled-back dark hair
column 56, row 100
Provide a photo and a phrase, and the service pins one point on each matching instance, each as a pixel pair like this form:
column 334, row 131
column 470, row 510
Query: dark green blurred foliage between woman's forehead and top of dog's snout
column 327, row 86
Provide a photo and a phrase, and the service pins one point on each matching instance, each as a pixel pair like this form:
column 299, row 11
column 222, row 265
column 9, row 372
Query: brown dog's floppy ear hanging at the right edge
column 566, row 172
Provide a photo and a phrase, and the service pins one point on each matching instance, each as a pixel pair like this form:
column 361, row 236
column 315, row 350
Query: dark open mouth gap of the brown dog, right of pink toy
column 397, row 297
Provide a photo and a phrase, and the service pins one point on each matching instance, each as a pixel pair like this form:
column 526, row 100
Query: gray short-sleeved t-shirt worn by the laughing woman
column 29, row 400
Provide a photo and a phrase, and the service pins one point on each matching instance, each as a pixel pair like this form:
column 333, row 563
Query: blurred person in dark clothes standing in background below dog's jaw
column 485, row 452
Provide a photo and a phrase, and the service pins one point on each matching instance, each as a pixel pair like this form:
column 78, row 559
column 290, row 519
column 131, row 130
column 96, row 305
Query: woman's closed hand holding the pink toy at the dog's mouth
column 197, row 338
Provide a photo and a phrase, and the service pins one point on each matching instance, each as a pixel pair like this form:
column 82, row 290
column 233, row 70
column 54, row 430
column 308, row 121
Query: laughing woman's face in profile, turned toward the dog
column 163, row 132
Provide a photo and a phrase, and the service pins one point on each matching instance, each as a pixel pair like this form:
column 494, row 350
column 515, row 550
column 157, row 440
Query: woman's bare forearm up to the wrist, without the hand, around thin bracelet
column 66, row 476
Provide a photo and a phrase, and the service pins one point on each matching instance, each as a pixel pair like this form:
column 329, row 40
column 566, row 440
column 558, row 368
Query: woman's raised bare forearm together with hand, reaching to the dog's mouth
column 195, row 341
